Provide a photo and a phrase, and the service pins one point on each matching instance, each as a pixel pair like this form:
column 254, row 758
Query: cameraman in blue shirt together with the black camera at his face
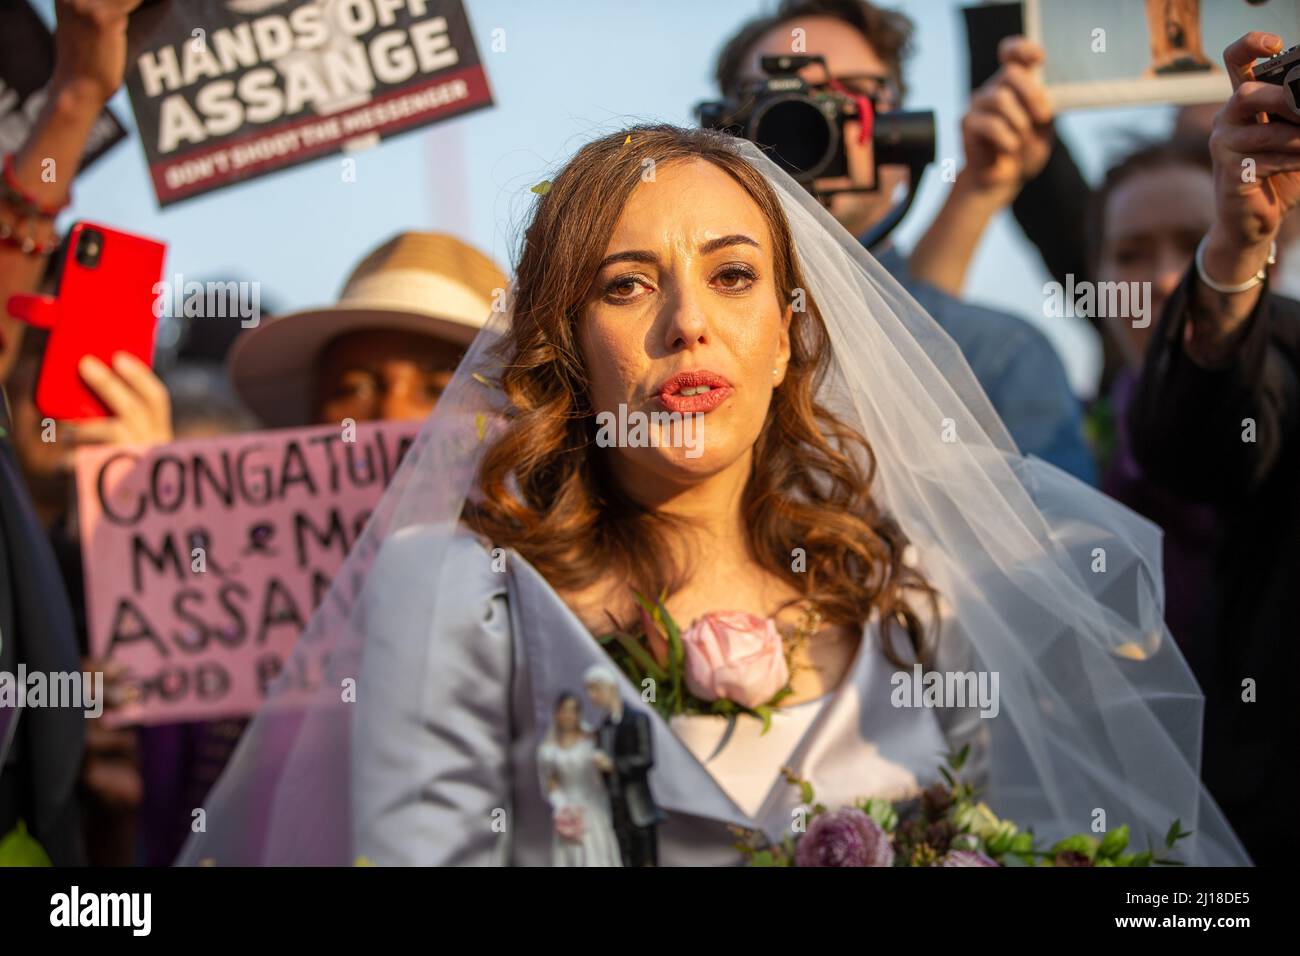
column 850, row 57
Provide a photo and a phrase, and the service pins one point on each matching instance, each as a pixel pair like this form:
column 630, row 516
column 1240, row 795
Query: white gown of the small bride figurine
column 580, row 786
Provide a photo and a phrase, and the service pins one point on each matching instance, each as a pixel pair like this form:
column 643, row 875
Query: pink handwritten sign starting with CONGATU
column 205, row 560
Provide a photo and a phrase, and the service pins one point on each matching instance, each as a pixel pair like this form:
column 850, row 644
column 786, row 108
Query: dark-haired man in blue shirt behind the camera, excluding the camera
column 864, row 47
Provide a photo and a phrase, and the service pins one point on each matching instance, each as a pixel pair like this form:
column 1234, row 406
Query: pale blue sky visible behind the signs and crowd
column 571, row 70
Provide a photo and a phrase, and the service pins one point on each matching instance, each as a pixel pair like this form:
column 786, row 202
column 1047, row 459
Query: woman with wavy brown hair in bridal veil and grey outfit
column 850, row 464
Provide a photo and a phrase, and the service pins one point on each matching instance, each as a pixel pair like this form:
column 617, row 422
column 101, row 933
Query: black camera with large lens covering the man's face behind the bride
column 803, row 129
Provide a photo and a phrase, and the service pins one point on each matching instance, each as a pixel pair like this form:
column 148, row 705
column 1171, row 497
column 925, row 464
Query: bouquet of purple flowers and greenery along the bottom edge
column 946, row 827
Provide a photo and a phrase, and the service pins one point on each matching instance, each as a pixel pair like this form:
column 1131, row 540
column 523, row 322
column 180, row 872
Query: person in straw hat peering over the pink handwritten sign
column 385, row 351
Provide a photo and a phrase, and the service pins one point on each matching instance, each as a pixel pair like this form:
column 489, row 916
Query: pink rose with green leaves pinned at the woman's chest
column 727, row 663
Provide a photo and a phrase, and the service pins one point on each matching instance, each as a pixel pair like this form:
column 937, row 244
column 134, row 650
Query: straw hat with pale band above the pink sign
column 427, row 283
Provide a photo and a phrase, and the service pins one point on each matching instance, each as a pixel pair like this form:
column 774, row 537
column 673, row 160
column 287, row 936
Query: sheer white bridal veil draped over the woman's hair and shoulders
column 1052, row 585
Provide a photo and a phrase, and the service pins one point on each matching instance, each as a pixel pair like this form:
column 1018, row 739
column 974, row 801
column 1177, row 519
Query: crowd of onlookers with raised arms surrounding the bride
column 1194, row 427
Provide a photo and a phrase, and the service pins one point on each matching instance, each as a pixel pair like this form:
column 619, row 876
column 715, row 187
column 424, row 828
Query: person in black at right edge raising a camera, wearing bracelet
column 1217, row 418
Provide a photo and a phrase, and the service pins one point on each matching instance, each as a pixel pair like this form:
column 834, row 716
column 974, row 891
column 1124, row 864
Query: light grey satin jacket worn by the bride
column 448, row 776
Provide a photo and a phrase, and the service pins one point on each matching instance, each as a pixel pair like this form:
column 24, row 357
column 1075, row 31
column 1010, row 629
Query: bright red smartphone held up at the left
column 105, row 305
